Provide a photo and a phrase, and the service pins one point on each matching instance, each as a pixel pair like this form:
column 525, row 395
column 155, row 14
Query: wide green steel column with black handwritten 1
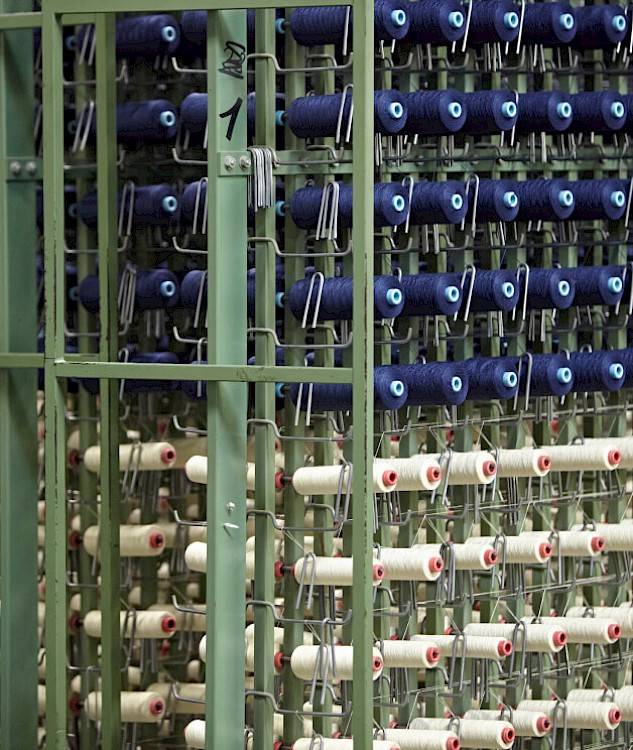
column 226, row 402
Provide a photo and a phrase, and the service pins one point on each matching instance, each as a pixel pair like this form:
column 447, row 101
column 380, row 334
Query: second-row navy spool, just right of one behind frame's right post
column 435, row 112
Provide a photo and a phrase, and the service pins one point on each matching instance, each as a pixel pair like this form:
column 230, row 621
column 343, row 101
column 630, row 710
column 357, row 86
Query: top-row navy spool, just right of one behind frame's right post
column 436, row 21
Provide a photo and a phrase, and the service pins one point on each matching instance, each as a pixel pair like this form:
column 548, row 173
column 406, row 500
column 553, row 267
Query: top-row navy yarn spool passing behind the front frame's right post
column 315, row 26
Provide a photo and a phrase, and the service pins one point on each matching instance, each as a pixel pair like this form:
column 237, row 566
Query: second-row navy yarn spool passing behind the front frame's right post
column 318, row 116
